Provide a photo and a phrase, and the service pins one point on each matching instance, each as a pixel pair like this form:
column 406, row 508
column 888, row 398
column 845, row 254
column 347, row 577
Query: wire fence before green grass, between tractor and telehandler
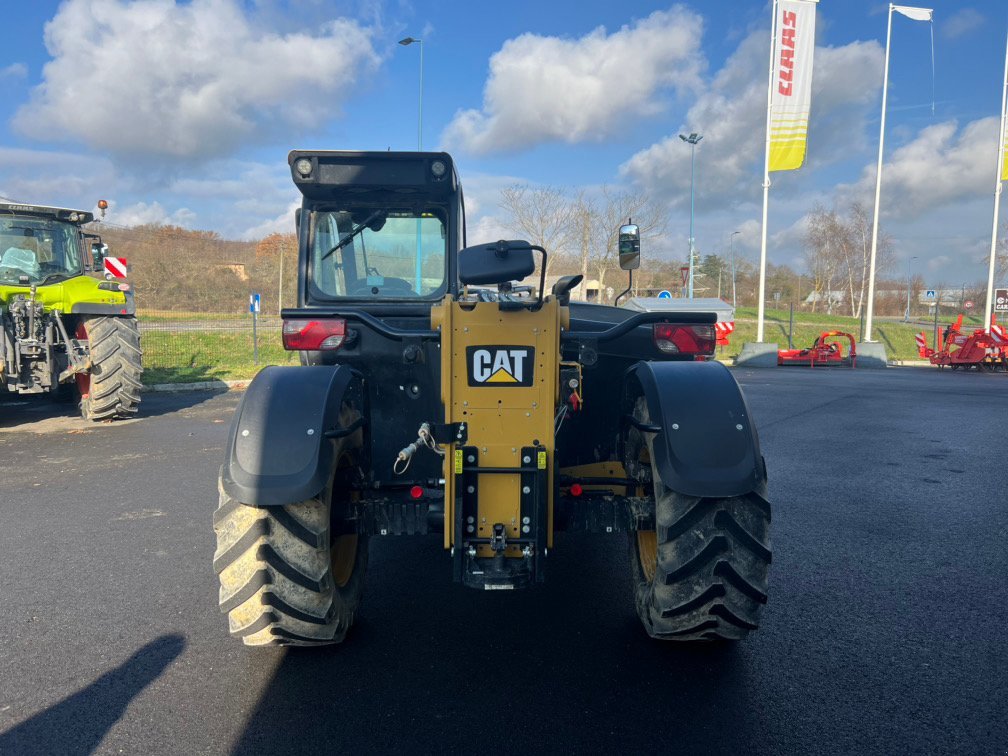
column 209, row 347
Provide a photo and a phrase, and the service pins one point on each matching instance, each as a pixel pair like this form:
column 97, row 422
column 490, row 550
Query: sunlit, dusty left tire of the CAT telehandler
column 288, row 576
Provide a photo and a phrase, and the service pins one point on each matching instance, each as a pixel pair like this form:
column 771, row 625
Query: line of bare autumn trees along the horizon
column 175, row 269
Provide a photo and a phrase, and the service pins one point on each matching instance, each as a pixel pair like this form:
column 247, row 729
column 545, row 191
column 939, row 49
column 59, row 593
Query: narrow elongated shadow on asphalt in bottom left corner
column 78, row 724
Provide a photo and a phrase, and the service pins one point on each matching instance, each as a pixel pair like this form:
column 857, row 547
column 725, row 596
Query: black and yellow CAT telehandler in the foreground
column 438, row 395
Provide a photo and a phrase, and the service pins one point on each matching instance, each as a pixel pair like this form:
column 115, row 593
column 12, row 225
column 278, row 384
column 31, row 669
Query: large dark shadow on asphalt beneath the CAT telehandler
column 435, row 668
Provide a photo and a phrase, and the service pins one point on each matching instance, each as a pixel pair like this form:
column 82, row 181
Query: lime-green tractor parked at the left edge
column 65, row 333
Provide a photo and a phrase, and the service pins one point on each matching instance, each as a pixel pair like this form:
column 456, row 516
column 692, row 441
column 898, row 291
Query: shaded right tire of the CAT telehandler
column 702, row 575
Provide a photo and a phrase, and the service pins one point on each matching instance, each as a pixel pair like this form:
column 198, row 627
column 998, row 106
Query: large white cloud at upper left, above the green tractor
column 186, row 80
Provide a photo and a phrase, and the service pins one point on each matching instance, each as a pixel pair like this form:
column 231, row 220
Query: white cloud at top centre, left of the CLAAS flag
column 545, row 89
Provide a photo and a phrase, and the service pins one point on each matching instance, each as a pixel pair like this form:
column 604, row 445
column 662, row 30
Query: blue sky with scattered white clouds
column 183, row 112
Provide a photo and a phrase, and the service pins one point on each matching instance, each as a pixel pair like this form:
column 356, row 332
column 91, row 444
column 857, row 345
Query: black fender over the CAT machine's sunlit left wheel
column 281, row 449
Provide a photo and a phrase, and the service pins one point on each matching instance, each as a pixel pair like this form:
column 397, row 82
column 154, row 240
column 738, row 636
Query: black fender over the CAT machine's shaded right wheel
column 705, row 440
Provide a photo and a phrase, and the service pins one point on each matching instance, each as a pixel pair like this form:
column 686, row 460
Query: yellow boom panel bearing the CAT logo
column 499, row 376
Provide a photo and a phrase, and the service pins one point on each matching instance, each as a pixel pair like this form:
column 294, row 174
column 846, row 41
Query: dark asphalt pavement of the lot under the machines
column 886, row 632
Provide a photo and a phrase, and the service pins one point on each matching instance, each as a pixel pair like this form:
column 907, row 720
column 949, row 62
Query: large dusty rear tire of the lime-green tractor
column 111, row 391
